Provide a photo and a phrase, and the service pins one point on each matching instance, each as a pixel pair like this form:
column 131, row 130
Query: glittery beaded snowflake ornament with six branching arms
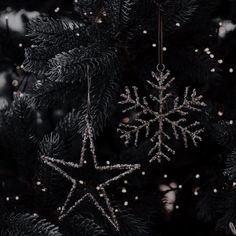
column 175, row 116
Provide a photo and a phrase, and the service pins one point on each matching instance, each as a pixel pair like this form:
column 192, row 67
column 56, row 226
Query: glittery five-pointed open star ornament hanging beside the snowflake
column 80, row 190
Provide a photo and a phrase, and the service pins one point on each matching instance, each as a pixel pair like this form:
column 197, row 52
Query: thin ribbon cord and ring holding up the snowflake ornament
column 160, row 65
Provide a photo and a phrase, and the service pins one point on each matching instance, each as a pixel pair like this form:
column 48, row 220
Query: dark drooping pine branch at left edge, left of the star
column 18, row 131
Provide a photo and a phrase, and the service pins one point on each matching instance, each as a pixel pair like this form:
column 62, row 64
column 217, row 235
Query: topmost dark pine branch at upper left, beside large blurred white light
column 51, row 37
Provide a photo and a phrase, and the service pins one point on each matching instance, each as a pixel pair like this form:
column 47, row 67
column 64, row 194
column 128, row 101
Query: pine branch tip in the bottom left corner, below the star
column 26, row 224
